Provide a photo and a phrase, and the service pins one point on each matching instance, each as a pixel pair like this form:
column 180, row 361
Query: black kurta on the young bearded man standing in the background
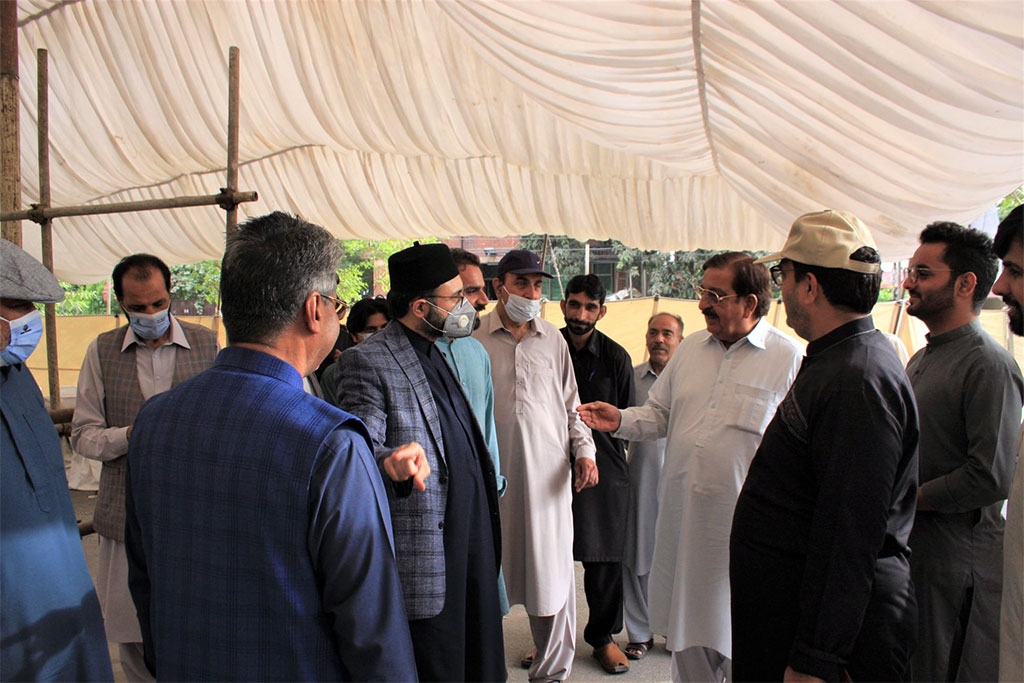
column 605, row 372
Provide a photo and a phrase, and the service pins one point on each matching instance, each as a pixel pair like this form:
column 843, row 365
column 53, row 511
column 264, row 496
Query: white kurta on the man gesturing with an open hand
column 713, row 405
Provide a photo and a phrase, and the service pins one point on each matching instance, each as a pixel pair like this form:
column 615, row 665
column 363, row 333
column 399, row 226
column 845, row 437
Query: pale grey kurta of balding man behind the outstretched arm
column 646, row 469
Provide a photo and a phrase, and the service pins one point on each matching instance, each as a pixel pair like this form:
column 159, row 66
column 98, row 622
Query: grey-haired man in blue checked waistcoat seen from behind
column 260, row 539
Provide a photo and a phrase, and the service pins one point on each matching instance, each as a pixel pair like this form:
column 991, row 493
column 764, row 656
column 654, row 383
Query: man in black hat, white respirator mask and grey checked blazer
column 448, row 533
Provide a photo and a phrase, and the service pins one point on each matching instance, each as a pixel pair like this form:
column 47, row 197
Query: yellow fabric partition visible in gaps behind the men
column 626, row 323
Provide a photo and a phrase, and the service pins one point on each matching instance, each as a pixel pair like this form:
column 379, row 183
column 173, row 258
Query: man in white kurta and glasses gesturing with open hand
column 713, row 401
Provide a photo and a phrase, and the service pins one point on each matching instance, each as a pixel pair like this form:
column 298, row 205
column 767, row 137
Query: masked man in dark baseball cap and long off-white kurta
column 541, row 440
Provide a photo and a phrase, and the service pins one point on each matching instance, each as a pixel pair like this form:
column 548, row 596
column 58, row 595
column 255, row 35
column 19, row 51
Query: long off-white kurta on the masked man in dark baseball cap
column 538, row 428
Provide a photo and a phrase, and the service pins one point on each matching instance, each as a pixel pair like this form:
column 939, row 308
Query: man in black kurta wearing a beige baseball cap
column 820, row 564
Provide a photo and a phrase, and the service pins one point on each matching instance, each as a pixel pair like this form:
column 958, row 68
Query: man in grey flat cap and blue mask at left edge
column 53, row 628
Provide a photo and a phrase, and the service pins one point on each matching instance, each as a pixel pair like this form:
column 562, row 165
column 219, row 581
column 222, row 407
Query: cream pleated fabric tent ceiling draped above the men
column 664, row 124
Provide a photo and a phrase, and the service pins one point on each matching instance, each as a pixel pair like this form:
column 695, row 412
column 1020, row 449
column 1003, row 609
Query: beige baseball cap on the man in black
column 827, row 239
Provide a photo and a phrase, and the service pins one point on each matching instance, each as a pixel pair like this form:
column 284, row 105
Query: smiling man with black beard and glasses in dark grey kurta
column 969, row 392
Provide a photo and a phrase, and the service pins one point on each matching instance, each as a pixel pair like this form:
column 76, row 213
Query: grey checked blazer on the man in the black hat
column 382, row 382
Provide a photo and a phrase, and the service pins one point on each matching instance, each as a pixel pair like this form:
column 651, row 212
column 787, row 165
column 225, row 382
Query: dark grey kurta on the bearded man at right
column 969, row 393
